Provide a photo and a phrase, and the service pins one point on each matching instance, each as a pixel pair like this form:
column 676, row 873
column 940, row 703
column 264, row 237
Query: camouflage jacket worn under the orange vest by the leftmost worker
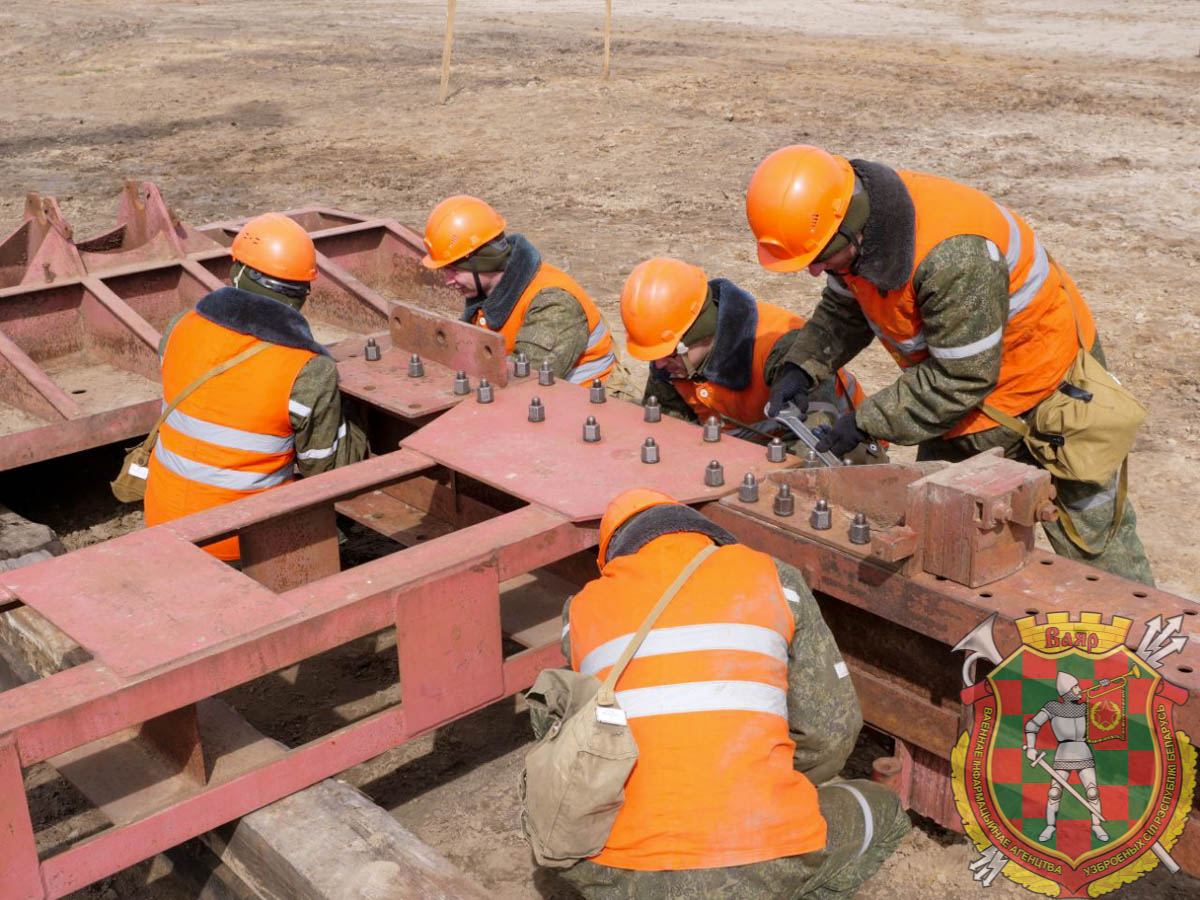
column 327, row 436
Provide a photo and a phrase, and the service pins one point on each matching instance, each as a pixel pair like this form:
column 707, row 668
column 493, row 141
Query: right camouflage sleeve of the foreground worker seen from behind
column 824, row 716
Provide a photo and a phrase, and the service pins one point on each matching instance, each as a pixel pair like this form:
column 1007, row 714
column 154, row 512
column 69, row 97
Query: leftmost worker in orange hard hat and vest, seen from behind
column 256, row 425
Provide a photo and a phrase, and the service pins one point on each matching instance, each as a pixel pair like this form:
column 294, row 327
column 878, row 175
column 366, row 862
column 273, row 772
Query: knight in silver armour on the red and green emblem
column 1069, row 722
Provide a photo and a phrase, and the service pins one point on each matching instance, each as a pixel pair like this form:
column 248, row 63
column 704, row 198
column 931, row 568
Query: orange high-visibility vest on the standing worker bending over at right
column 1039, row 340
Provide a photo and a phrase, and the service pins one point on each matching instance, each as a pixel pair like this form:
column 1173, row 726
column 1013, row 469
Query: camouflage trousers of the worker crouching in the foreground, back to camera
column 866, row 825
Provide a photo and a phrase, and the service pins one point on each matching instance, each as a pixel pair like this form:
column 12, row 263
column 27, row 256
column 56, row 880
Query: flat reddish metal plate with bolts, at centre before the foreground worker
column 550, row 464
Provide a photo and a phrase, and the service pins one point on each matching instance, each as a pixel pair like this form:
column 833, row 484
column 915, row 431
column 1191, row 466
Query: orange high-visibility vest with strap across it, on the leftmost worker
column 233, row 436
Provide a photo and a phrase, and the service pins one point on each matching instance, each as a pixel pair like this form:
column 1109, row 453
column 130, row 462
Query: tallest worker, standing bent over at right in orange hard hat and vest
column 964, row 297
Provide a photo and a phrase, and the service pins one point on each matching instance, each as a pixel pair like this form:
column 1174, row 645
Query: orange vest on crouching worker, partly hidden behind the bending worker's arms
column 747, row 406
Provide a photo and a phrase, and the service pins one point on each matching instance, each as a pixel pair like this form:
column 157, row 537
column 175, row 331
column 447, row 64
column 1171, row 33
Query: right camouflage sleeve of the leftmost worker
column 327, row 436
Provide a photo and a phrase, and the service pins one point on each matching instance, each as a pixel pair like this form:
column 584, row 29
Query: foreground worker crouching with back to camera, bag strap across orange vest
column 740, row 705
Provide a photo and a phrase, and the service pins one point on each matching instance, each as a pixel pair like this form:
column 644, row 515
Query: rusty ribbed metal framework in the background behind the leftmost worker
column 81, row 321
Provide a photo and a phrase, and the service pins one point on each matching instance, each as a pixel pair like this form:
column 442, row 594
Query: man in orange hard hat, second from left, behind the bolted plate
column 539, row 309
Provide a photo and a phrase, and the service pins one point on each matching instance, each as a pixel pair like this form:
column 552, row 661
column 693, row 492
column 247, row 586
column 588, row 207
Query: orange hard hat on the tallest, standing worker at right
column 796, row 201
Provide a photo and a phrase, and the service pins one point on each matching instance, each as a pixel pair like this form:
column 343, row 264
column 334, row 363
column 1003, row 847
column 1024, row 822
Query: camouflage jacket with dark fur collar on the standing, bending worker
column 962, row 292
